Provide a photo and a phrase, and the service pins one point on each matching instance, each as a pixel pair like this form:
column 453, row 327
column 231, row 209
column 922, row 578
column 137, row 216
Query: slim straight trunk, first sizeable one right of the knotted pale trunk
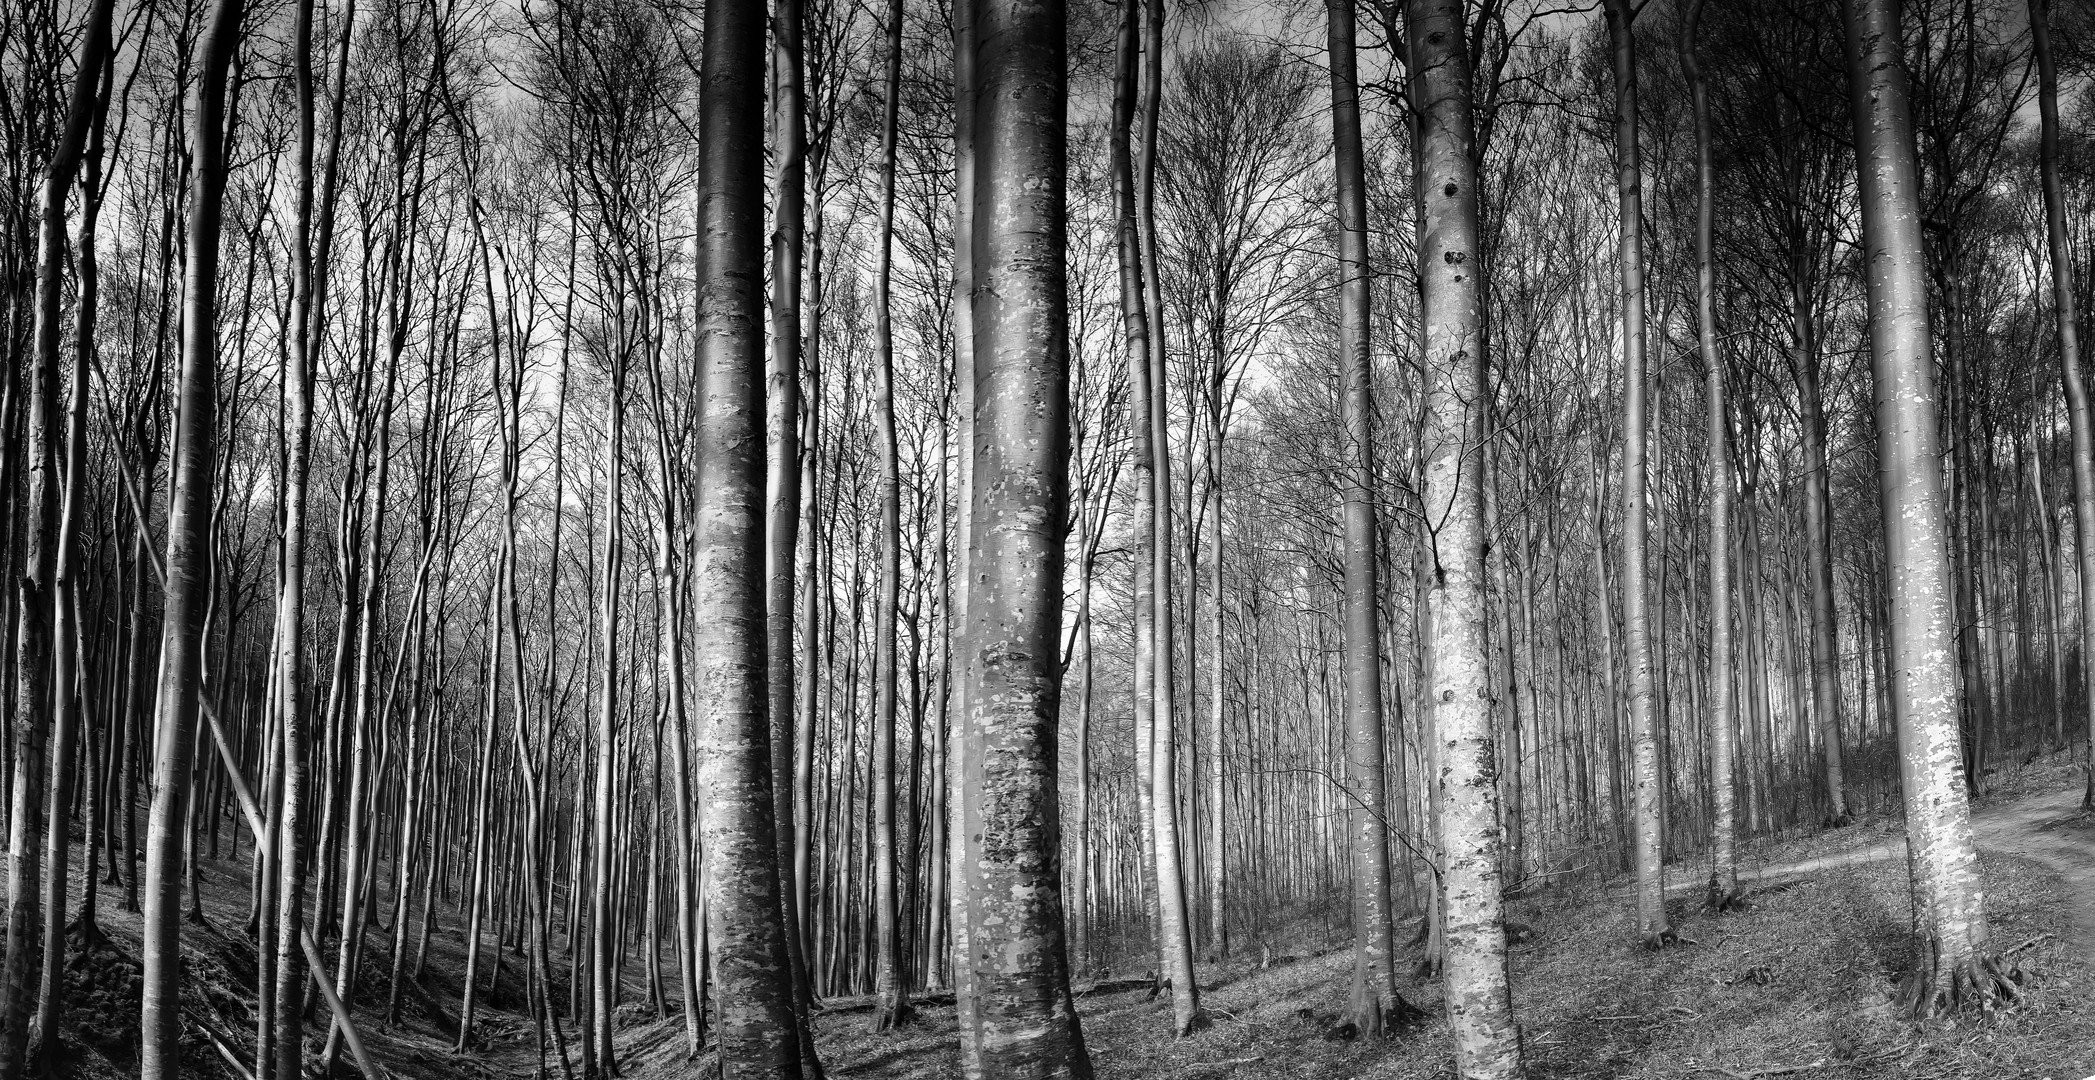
column 1648, row 784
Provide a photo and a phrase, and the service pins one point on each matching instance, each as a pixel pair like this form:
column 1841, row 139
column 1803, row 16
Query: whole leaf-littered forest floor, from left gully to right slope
column 1799, row 985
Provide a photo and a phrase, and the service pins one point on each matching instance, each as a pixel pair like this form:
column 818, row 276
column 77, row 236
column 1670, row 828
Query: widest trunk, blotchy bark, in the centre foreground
column 1019, row 1020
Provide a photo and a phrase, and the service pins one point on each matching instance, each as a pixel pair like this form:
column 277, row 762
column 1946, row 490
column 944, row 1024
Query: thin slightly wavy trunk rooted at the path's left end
column 1723, row 798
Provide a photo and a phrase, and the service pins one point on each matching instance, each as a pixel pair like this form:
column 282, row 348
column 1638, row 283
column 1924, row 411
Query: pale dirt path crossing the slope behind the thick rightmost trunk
column 2046, row 828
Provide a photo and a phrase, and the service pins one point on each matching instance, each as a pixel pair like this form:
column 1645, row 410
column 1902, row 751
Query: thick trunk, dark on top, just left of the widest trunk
column 759, row 1033
